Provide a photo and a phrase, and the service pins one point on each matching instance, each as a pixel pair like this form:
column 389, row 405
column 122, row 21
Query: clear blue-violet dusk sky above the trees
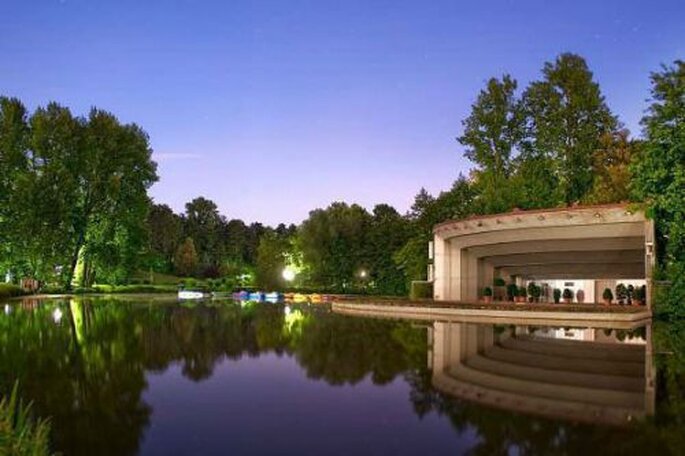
column 272, row 109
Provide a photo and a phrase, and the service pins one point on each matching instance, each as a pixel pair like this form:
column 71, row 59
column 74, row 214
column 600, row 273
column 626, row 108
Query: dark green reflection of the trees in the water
column 87, row 370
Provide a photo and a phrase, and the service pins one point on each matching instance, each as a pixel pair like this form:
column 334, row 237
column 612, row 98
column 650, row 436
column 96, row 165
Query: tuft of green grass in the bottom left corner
column 20, row 434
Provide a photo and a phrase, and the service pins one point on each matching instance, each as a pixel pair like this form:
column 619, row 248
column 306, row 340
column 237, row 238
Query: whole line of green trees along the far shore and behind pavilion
column 73, row 192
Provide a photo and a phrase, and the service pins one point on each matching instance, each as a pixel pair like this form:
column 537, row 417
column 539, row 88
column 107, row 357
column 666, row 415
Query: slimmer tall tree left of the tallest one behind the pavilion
column 491, row 133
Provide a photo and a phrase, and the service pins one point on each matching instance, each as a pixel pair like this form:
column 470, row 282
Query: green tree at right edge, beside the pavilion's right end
column 659, row 174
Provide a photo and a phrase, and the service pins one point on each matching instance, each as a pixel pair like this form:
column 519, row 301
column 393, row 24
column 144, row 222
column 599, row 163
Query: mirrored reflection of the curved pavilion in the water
column 587, row 375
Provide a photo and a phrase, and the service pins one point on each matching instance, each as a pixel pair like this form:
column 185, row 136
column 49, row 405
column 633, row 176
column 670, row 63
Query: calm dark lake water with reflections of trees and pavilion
column 155, row 377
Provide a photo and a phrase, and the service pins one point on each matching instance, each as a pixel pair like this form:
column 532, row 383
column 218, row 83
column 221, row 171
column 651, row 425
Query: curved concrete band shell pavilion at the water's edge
column 597, row 244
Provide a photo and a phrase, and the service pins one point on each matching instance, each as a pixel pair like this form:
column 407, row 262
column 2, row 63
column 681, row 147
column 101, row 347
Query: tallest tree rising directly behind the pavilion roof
column 565, row 116
